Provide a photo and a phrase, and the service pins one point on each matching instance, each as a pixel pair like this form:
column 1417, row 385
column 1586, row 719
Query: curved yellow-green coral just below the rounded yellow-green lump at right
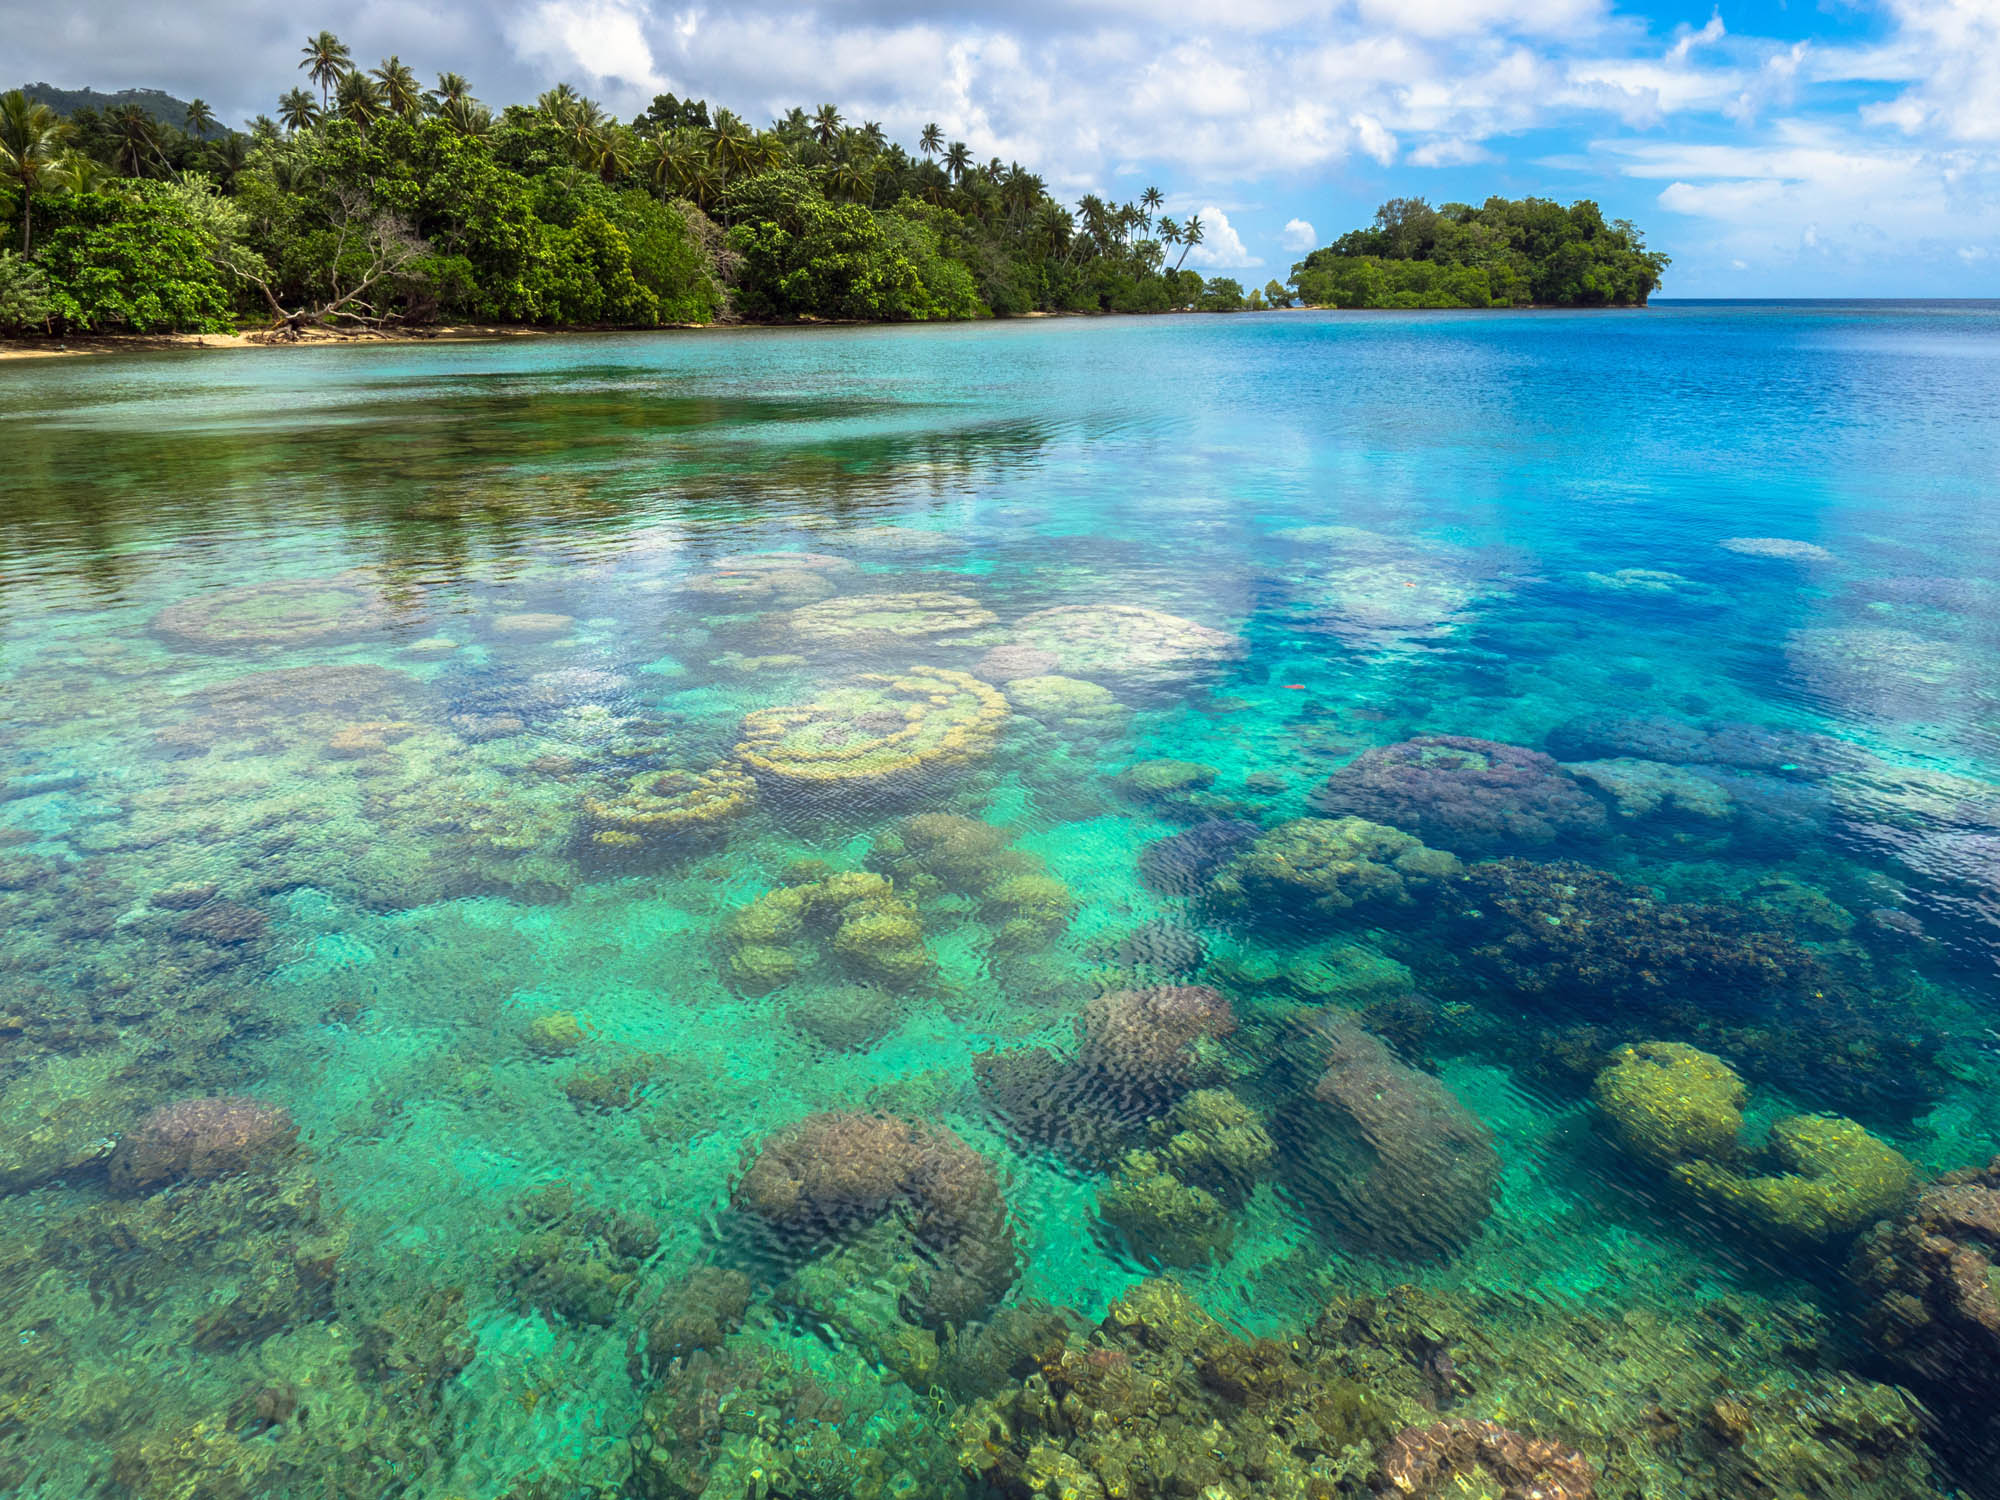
column 1833, row 1181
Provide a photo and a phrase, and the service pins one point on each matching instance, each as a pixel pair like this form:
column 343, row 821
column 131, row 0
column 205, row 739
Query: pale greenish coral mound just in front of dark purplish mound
column 1329, row 867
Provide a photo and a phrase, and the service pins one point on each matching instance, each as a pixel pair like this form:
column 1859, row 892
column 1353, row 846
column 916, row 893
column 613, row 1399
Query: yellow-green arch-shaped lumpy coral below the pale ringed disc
column 855, row 919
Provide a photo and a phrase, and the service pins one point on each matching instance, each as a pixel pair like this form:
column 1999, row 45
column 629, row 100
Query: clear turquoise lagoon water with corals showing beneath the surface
column 699, row 915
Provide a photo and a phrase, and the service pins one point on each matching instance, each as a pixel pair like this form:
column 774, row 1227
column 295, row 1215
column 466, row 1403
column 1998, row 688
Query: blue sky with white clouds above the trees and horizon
column 1771, row 149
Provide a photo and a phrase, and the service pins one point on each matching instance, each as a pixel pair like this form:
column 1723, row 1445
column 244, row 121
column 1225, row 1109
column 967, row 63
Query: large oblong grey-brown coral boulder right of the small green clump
column 1385, row 1157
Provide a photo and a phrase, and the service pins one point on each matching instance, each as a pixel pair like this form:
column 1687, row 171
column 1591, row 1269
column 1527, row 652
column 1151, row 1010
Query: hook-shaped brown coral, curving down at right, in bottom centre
column 833, row 1175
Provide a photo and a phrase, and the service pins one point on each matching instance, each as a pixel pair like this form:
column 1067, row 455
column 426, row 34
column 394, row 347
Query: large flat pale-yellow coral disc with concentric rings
column 883, row 735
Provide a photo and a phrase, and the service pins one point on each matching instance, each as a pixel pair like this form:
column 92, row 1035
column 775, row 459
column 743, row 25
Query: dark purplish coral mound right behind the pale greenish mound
column 1471, row 797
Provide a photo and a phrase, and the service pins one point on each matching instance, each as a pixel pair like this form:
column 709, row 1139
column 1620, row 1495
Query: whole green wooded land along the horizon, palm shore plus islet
column 371, row 203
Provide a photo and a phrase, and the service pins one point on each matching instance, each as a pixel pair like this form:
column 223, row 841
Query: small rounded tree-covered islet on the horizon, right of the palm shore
column 1503, row 255
